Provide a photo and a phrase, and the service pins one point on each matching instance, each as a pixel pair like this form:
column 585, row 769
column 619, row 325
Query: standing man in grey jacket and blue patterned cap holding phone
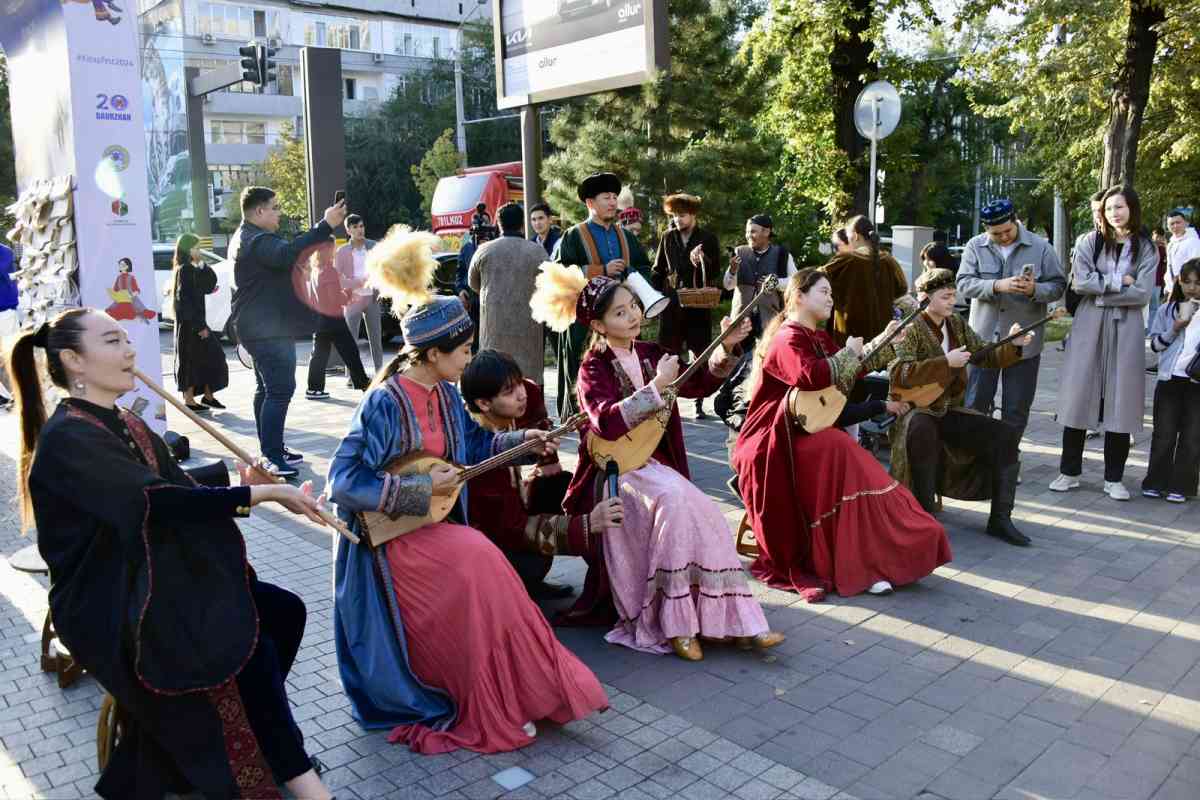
column 1011, row 275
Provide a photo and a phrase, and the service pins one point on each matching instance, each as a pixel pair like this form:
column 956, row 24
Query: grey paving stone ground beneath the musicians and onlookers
column 1065, row 671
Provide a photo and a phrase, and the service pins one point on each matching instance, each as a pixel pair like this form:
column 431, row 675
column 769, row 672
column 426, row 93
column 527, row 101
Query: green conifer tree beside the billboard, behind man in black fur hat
column 691, row 129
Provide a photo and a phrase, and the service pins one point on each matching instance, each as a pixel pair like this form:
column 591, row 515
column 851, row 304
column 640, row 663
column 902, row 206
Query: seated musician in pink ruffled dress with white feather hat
column 671, row 564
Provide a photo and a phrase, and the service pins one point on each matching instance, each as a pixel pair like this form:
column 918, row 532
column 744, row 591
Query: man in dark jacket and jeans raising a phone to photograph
column 268, row 312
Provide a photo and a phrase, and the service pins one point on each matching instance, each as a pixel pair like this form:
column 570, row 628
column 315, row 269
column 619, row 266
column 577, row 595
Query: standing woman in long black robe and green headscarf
column 200, row 358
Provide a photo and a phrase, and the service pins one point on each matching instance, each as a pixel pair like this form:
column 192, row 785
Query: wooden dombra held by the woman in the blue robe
column 379, row 527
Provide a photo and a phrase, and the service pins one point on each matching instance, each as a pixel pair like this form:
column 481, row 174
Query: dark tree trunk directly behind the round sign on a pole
column 849, row 62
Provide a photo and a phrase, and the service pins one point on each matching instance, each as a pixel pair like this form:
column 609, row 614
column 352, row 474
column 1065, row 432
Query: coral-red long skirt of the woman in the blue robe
column 473, row 631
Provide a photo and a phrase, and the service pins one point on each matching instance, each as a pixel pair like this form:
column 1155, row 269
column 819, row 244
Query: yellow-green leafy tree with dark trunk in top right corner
column 1109, row 95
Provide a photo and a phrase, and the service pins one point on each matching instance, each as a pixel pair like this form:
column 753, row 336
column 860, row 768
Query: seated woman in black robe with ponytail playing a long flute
column 151, row 590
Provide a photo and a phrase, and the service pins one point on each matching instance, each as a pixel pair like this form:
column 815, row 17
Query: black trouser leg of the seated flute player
column 262, row 682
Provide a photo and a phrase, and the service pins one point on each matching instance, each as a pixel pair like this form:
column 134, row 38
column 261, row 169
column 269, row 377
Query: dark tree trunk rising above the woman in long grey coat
column 1131, row 92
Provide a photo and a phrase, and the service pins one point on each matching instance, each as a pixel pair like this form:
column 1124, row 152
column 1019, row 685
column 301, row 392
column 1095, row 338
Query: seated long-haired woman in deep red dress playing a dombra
column 826, row 515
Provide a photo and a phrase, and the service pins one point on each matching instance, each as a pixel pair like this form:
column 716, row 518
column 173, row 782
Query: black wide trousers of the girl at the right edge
column 1175, row 447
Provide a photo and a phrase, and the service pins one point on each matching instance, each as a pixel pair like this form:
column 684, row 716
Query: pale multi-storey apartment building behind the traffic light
column 381, row 41
